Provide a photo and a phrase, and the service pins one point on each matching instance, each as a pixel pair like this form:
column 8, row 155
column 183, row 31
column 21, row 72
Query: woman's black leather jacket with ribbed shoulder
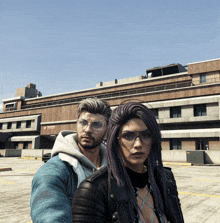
column 100, row 200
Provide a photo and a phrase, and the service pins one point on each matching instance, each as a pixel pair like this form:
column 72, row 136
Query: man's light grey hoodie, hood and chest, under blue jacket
column 67, row 148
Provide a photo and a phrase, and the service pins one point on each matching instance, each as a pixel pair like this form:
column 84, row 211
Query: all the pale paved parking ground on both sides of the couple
column 199, row 191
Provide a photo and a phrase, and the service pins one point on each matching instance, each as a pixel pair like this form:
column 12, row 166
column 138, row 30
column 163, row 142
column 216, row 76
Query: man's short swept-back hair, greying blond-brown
column 95, row 106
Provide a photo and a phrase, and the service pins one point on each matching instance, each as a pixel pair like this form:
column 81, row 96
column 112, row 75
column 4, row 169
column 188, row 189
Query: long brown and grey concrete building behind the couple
column 185, row 100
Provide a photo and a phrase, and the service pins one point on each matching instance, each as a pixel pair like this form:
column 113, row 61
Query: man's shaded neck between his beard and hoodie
column 93, row 155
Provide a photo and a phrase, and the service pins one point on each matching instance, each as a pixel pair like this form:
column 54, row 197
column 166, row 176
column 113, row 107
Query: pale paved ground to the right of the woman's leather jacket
column 199, row 192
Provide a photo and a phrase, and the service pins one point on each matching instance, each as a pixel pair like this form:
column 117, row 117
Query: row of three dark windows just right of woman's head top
column 175, row 112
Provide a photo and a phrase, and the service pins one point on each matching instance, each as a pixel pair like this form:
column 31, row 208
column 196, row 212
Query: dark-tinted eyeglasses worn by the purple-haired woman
column 128, row 138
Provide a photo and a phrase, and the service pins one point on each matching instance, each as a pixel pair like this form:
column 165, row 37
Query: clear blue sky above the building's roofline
column 69, row 45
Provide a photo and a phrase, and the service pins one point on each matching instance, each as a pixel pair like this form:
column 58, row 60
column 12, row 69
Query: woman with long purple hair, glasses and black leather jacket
column 134, row 187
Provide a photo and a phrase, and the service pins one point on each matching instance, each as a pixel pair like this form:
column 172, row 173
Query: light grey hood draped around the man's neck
column 66, row 143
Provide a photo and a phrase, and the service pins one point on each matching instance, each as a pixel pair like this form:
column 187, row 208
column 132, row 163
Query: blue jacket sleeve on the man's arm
column 52, row 192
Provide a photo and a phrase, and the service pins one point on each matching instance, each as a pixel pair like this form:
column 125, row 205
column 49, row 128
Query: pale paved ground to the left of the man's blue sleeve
column 15, row 189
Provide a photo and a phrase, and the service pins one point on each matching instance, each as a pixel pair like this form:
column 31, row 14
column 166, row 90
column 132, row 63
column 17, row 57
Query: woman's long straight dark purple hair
column 119, row 117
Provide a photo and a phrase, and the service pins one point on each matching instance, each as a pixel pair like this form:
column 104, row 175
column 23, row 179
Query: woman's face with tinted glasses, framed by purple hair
column 135, row 144
